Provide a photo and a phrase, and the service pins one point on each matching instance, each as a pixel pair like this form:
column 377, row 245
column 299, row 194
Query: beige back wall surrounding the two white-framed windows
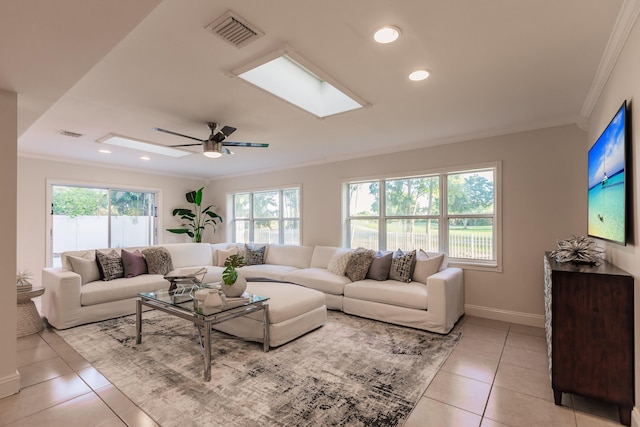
column 544, row 199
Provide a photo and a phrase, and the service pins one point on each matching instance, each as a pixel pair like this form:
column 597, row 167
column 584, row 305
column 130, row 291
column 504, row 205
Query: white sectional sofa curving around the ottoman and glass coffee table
column 76, row 297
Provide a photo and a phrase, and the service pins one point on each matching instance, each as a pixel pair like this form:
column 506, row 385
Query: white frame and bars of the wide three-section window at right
column 443, row 216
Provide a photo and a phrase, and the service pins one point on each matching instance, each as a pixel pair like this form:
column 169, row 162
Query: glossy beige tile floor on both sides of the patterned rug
column 496, row 376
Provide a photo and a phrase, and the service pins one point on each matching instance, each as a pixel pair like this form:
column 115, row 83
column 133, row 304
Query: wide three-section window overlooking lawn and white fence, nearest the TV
column 452, row 211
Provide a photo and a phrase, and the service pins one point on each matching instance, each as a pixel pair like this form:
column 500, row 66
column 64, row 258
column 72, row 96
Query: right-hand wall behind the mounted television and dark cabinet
column 625, row 84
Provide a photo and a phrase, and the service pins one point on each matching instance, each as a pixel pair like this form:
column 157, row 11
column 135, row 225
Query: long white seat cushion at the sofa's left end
column 119, row 289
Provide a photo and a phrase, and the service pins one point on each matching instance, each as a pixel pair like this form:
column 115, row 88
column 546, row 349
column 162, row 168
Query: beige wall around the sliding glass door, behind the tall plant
column 33, row 209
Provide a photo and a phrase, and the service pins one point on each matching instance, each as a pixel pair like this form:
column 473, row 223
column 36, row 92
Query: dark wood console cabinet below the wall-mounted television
column 590, row 338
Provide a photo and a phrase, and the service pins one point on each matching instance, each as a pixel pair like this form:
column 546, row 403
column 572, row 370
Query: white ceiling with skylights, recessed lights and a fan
column 98, row 67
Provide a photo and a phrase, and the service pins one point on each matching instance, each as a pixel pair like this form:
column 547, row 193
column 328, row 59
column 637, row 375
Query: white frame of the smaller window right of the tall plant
column 281, row 219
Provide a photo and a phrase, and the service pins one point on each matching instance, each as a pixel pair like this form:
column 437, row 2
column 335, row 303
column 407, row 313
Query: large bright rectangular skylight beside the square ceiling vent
column 292, row 78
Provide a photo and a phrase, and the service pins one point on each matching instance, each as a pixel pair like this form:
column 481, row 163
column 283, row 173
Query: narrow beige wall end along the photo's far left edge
column 9, row 377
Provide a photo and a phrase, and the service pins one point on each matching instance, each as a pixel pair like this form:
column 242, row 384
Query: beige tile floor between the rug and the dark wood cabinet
column 497, row 376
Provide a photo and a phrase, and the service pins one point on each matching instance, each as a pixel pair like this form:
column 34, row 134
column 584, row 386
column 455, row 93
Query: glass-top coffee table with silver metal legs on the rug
column 183, row 304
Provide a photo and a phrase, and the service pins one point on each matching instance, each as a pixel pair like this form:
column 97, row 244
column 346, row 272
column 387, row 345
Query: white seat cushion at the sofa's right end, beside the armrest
column 402, row 294
